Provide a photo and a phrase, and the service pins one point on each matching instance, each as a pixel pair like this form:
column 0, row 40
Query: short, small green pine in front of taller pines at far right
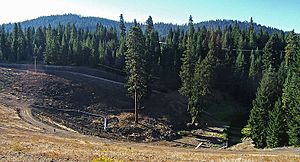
column 276, row 126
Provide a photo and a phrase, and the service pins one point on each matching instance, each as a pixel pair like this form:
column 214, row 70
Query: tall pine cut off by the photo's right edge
column 291, row 90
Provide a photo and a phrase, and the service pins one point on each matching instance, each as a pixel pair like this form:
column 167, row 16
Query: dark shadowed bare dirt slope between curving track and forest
column 53, row 96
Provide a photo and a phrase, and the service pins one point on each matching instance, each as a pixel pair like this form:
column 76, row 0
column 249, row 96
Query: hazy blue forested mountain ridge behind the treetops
column 91, row 22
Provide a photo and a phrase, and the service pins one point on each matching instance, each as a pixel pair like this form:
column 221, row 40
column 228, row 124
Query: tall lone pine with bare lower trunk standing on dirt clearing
column 135, row 66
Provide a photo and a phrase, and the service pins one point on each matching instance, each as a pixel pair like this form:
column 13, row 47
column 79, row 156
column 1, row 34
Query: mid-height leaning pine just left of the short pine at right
column 263, row 103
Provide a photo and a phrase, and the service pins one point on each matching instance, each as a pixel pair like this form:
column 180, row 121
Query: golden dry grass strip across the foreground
column 20, row 141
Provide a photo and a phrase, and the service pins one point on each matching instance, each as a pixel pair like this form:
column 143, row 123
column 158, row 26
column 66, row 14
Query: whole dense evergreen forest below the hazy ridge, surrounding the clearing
column 256, row 67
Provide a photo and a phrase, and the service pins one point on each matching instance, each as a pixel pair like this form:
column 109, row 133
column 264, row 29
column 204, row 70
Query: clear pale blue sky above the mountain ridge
column 282, row 14
